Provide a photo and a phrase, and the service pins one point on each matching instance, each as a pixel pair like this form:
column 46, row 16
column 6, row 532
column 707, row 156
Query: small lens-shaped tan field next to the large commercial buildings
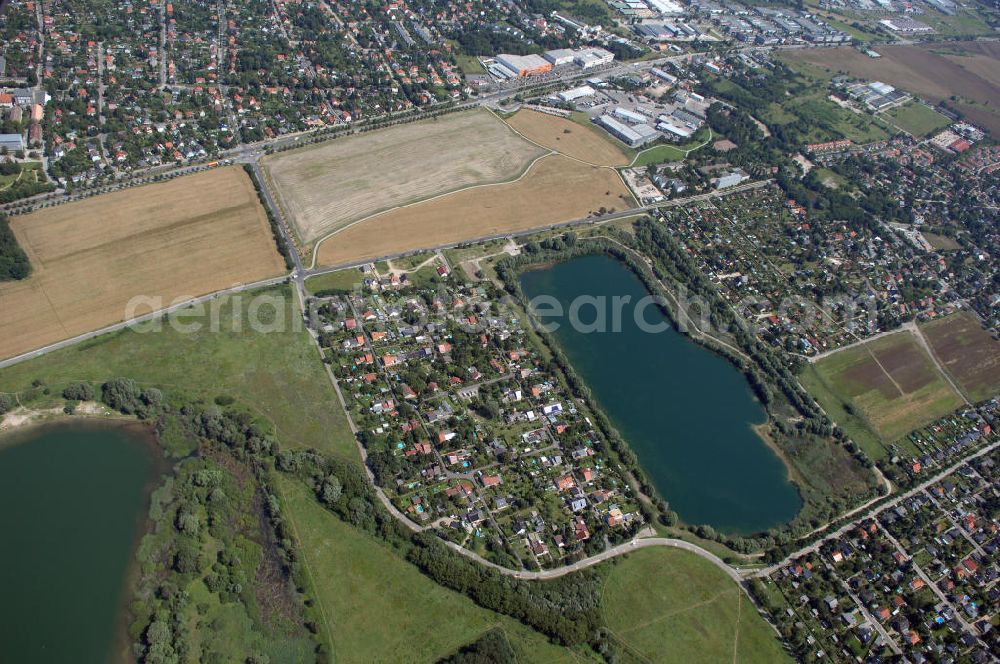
column 568, row 137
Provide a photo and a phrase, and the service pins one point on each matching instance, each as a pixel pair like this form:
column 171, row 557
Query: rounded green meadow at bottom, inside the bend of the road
column 666, row 605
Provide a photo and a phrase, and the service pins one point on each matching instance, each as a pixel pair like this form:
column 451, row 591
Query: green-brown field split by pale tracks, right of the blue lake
column 891, row 383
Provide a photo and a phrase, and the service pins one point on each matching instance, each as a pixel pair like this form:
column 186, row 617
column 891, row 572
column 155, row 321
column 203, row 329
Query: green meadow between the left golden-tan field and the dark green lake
column 276, row 374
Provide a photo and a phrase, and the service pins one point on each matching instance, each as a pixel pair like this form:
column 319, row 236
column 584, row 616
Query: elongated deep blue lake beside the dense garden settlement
column 685, row 411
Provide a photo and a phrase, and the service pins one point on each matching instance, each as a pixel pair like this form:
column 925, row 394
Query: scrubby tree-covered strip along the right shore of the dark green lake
column 215, row 519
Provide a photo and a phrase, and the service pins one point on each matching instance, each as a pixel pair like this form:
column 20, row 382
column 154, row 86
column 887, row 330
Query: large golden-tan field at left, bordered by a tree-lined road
column 183, row 238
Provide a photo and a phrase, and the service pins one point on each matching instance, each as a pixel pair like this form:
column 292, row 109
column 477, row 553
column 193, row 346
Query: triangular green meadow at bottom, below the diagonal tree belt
column 379, row 608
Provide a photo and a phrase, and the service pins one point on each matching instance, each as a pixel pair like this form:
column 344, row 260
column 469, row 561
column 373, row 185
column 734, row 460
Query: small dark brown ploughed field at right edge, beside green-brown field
column 966, row 351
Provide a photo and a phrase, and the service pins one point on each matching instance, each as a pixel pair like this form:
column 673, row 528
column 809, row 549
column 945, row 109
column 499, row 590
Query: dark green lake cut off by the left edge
column 75, row 497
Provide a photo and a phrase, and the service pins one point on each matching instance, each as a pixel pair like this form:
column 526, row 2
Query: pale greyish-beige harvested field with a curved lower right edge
column 326, row 187
